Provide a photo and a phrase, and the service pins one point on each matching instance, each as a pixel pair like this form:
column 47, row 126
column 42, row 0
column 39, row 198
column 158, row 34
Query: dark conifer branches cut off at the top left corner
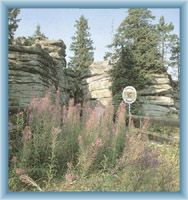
column 12, row 23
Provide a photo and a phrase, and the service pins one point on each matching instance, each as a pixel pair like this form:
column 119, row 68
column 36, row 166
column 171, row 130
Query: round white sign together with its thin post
column 129, row 96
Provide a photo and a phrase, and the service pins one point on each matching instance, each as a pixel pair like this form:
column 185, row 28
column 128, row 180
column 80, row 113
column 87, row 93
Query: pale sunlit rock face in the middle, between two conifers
column 98, row 83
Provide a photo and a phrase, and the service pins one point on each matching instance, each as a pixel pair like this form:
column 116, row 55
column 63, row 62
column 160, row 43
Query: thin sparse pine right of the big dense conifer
column 164, row 30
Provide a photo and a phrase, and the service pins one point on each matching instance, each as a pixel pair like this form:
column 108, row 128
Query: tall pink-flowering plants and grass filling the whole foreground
column 56, row 144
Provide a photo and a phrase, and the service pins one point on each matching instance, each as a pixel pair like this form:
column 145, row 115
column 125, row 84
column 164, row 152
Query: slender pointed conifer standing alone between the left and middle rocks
column 81, row 46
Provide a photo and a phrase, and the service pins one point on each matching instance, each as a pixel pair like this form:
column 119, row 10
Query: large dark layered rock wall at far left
column 35, row 69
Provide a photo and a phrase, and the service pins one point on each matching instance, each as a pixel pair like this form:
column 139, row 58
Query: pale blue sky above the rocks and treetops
column 59, row 24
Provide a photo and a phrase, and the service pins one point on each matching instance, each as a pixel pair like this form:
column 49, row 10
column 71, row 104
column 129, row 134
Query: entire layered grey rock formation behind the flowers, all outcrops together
column 39, row 67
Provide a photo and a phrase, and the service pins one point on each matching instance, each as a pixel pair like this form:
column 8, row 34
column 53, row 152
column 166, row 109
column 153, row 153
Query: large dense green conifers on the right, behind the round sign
column 139, row 47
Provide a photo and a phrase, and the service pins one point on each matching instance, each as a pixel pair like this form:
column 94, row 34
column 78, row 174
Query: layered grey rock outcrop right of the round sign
column 157, row 98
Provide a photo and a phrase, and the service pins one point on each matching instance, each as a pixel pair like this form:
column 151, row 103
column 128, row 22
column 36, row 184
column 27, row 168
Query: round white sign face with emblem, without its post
column 129, row 94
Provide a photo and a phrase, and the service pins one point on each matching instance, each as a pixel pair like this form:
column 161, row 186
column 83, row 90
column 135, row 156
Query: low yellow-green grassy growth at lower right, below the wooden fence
column 150, row 168
